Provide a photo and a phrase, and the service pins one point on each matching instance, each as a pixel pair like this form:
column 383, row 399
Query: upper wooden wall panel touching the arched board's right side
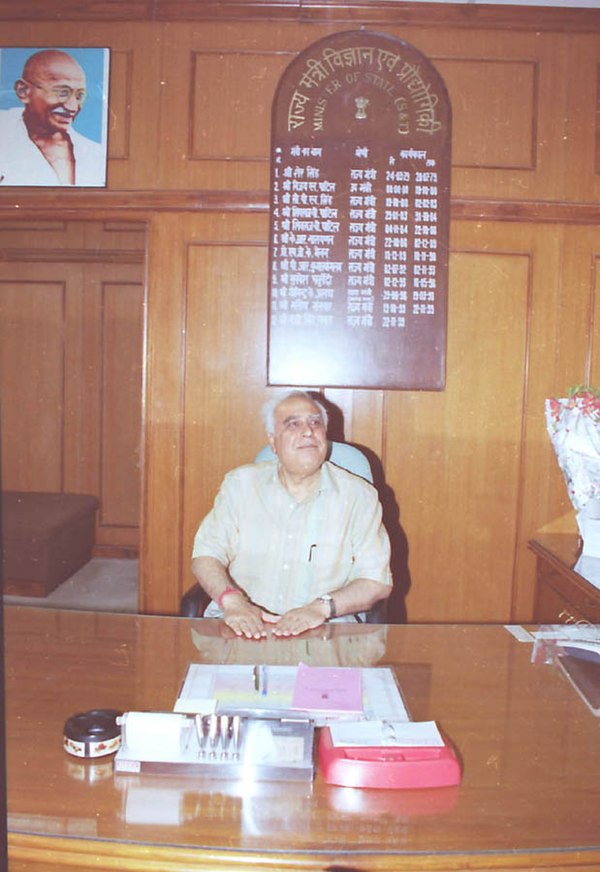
column 510, row 137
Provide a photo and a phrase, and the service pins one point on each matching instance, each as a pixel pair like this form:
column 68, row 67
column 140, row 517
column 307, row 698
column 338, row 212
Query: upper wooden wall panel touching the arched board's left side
column 218, row 130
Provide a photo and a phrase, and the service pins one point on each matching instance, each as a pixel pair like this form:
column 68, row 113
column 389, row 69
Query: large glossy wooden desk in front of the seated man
column 530, row 795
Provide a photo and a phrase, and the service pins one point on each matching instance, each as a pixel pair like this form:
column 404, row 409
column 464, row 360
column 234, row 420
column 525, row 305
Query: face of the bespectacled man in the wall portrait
column 53, row 93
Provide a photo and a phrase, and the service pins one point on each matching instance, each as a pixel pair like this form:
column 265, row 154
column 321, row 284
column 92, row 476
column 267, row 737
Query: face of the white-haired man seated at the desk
column 299, row 440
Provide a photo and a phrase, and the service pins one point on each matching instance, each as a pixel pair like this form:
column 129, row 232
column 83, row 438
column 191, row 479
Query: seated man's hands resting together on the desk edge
column 249, row 620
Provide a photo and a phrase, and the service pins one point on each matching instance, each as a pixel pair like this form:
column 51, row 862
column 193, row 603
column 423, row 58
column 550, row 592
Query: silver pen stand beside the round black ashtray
column 223, row 746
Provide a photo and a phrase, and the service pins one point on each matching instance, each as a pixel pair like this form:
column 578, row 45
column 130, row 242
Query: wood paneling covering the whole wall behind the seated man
column 470, row 473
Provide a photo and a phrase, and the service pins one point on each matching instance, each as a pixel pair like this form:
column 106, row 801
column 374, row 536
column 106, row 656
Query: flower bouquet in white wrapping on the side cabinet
column 573, row 424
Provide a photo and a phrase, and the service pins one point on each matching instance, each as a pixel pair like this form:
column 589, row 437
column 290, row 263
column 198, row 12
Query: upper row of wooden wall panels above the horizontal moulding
column 190, row 104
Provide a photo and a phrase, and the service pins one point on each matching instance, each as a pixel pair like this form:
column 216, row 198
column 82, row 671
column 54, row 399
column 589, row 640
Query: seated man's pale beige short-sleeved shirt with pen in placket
column 283, row 553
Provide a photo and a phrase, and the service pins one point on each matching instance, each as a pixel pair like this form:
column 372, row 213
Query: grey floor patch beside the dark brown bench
column 103, row 584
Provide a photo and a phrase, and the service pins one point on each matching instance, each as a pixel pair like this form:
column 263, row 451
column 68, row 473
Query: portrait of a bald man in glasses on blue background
column 53, row 117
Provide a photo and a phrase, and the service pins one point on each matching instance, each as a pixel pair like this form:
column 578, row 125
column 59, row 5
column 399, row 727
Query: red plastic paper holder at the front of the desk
column 387, row 767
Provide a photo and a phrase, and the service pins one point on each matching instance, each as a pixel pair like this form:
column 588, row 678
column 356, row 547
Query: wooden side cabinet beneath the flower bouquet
column 562, row 593
